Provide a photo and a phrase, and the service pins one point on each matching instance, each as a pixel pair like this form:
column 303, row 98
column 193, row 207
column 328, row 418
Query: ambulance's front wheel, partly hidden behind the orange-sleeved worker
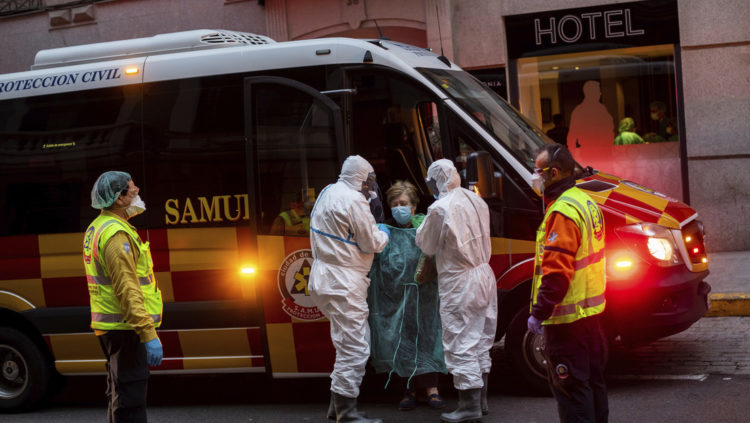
column 525, row 353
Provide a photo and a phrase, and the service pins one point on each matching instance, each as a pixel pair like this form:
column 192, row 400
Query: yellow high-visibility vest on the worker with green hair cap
column 106, row 313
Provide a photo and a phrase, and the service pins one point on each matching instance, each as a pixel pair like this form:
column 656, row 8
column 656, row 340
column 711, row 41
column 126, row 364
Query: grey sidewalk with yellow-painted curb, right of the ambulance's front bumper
column 730, row 283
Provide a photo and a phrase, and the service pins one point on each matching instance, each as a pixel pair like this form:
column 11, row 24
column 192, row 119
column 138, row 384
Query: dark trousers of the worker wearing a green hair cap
column 127, row 376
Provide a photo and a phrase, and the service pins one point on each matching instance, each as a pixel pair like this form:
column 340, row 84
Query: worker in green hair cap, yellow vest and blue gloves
column 126, row 303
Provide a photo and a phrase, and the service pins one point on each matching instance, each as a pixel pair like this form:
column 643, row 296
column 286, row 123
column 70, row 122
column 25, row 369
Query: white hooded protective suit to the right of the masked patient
column 457, row 230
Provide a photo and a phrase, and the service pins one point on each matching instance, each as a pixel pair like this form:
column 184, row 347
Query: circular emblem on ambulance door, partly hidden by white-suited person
column 294, row 274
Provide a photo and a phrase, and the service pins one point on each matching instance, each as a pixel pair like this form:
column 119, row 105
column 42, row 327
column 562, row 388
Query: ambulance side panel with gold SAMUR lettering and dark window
column 195, row 187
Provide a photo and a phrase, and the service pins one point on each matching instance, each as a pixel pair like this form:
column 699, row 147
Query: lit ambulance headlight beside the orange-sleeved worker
column 651, row 241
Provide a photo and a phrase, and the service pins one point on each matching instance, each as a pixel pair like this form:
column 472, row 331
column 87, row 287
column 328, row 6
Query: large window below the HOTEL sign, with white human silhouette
column 619, row 107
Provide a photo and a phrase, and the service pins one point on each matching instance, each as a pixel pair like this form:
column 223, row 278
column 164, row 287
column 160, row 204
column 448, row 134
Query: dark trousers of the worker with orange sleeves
column 576, row 354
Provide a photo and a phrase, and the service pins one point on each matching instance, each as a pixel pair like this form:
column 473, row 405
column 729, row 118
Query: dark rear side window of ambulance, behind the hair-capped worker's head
column 52, row 149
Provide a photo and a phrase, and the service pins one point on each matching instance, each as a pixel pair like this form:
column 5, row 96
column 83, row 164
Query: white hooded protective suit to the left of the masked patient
column 344, row 238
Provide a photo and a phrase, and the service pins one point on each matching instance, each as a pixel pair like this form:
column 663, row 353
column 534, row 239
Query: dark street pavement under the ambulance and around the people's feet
column 701, row 374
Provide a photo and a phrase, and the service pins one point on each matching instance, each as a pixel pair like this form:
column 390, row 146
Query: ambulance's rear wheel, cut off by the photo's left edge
column 25, row 372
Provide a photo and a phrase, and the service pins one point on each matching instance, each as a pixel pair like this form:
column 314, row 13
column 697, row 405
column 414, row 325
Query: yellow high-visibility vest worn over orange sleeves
column 585, row 296
